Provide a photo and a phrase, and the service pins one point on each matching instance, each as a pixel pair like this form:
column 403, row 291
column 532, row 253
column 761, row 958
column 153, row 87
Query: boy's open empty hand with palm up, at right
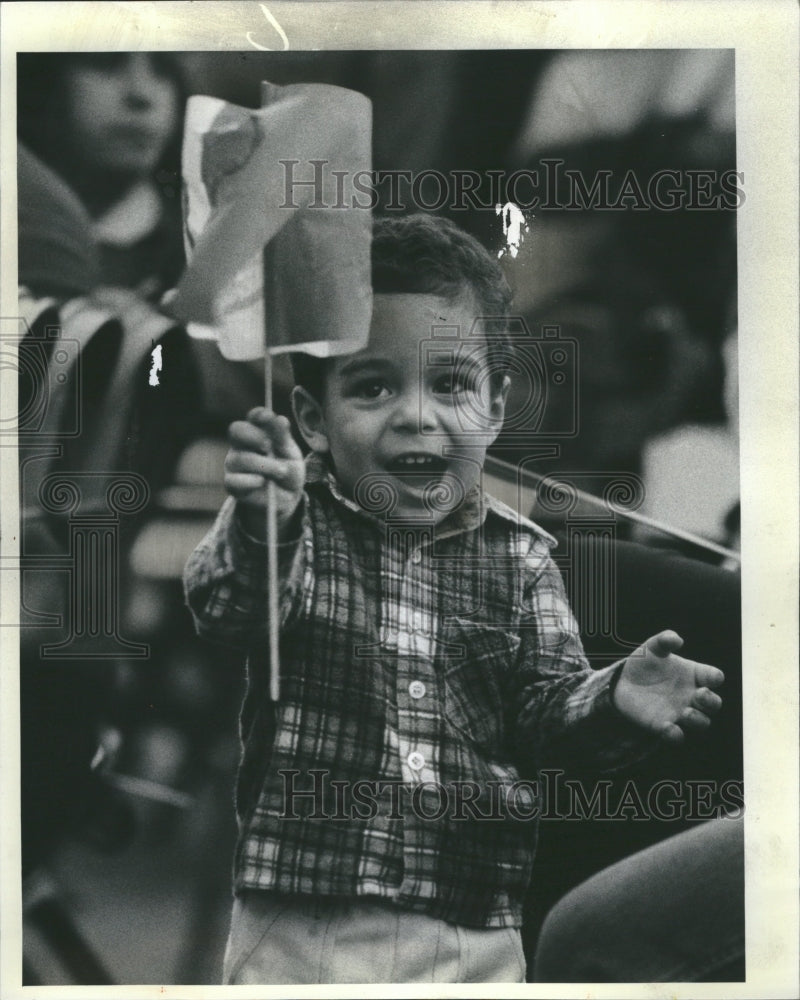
column 665, row 693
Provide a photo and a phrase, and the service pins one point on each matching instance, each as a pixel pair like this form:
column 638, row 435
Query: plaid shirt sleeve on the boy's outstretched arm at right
column 564, row 709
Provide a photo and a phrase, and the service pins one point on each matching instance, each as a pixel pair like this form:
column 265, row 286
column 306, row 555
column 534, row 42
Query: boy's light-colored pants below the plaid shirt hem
column 282, row 939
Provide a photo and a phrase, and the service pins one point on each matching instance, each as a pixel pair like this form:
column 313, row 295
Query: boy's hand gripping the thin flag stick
column 262, row 448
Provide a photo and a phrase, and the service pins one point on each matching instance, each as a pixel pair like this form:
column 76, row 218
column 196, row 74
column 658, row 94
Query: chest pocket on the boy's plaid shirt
column 476, row 660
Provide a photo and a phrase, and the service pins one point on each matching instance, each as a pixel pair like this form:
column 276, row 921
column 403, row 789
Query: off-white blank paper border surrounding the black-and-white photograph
column 765, row 39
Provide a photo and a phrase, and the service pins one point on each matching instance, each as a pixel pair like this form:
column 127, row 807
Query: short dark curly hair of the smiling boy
column 427, row 254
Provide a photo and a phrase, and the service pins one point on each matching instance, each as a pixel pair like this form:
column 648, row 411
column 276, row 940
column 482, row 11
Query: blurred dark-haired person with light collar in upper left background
column 109, row 124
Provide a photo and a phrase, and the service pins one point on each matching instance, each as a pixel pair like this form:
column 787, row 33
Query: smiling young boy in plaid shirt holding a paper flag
column 428, row 655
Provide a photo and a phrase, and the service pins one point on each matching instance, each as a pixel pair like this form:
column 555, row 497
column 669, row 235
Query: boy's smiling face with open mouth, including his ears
column 396, row 410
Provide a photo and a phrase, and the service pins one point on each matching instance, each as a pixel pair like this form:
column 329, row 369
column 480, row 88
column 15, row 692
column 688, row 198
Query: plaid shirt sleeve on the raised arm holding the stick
column 225, row 579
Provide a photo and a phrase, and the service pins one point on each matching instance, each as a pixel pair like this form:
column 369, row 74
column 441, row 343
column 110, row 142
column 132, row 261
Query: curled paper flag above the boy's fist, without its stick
column 245, row 174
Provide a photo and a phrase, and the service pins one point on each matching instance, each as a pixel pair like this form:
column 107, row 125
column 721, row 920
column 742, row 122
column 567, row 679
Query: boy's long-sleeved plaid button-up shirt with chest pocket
column 423, row 672
